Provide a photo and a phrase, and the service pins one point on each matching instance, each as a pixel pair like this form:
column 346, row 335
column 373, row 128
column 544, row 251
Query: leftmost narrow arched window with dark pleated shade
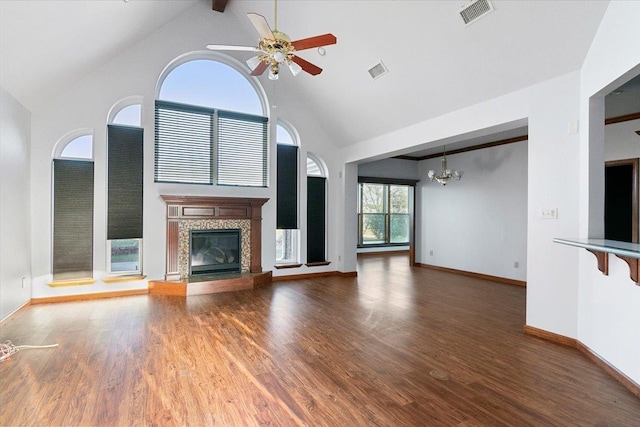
column 73, row 181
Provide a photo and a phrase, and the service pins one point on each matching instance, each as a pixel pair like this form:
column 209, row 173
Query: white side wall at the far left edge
column 14, row 205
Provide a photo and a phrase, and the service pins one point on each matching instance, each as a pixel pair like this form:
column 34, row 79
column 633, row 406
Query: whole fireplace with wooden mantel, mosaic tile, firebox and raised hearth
column 237, row 226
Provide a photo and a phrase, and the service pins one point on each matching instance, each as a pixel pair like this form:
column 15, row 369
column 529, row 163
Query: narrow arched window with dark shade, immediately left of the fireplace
column 125, row 173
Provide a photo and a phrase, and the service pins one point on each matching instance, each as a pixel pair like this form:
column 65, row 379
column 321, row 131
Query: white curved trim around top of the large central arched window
column 224, row 59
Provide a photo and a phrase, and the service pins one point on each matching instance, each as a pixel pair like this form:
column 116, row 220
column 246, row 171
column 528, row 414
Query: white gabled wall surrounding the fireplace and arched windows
column 136, row 73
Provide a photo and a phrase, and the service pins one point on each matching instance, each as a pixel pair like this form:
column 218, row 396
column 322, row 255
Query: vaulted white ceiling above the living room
column 436, row 64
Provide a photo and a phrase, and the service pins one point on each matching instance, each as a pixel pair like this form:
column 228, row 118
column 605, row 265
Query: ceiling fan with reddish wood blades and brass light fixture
column 275, row 48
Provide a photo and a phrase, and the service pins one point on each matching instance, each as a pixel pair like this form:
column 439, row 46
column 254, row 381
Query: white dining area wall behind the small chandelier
column 479, row 223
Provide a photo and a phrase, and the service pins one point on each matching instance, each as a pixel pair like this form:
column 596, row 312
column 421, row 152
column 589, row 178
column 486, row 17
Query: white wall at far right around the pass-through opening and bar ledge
column 609, row 306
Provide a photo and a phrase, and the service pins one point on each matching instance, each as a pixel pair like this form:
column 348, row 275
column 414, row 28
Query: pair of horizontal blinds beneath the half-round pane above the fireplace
column 200, row 145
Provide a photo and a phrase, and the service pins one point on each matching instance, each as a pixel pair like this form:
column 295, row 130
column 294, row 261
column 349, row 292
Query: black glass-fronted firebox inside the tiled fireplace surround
column 214, row 251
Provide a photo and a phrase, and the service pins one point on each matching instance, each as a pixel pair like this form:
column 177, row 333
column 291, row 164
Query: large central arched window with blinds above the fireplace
column 211, row 126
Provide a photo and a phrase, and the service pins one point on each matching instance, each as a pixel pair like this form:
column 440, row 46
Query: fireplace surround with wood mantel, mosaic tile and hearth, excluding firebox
column 185, row 213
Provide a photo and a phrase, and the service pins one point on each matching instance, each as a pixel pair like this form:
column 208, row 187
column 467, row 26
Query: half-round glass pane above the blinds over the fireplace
column 212, row 84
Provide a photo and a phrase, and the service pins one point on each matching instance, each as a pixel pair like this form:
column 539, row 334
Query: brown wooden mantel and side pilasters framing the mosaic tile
column 202, row 207
